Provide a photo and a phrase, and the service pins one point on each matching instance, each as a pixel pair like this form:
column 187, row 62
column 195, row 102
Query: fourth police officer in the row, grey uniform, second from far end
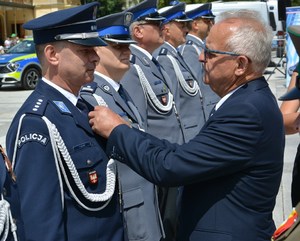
column 188, row 95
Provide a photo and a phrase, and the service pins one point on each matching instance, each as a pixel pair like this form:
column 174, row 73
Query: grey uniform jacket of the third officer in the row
column 162, row 125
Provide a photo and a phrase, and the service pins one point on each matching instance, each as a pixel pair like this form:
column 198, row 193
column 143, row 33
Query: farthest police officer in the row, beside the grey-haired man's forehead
column 203, row 20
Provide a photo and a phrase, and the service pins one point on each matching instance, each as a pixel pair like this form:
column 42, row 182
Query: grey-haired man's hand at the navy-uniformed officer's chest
column 103, row 121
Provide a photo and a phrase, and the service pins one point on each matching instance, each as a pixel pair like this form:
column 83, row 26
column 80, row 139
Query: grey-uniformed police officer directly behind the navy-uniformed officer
column 139, row 197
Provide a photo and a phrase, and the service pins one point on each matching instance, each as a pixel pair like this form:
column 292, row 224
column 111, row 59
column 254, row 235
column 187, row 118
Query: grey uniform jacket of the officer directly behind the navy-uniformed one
column 139, row 198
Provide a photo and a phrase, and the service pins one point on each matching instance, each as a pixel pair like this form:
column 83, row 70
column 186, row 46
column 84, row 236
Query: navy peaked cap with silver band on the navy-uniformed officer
column 77, row 25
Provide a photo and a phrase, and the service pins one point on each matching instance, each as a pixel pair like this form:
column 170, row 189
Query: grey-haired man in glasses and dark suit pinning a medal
column 231, row 170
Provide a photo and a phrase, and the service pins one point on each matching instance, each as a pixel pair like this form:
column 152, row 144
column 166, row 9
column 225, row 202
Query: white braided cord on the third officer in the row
column 151, row 96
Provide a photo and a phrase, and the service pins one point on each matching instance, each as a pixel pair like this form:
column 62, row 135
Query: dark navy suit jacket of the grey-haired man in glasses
column 231, row 170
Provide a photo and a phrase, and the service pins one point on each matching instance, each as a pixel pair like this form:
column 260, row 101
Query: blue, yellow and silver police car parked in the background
column 19, row 66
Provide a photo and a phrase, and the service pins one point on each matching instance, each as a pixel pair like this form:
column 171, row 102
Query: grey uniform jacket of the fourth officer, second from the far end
column 190, row 107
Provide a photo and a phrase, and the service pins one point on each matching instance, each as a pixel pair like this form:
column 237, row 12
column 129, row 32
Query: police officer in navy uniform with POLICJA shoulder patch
column 65, row 188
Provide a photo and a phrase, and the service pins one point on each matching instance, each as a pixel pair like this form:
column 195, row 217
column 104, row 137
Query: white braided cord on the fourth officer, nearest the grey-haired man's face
column 191, row 91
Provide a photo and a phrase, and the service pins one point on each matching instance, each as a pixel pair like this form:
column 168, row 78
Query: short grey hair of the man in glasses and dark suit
column 251, row 40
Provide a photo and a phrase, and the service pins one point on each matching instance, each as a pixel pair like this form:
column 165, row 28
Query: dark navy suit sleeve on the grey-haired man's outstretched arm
column 225, row 145
